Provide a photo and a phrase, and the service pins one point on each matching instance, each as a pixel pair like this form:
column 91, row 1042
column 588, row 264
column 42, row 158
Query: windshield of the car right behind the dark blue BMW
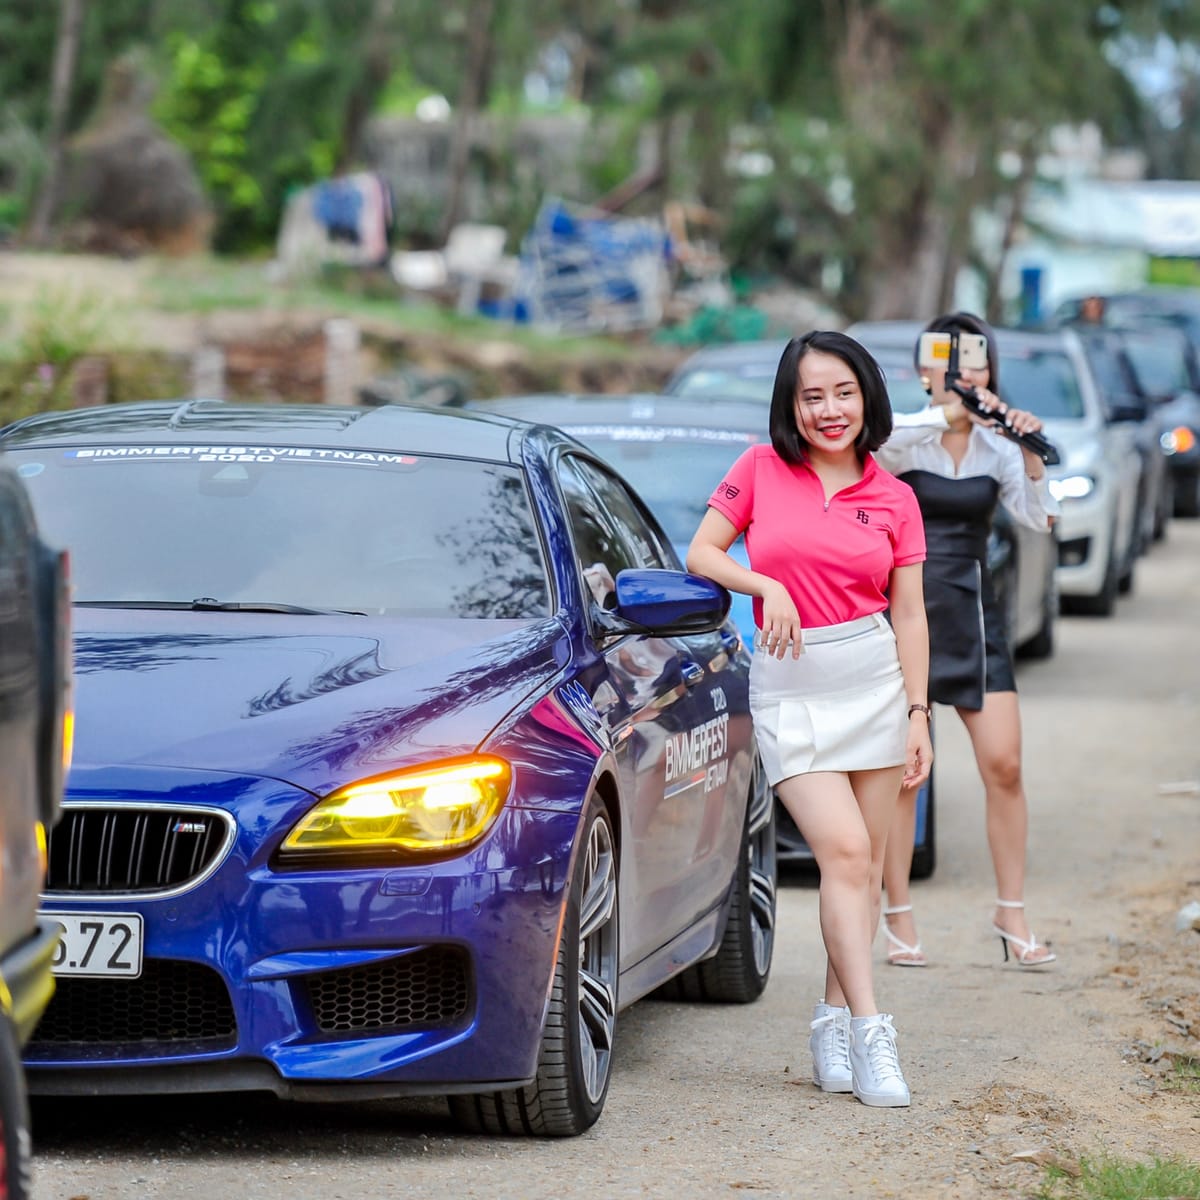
column 674, row 470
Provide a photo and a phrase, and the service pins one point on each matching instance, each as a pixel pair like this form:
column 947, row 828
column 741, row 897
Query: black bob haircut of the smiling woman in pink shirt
column 785, row 434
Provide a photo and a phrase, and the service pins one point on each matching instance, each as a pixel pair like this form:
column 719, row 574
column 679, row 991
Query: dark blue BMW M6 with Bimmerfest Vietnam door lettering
column 407, row 757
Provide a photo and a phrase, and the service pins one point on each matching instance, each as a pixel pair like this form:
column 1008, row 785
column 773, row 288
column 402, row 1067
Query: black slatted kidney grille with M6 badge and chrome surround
column 100, row 849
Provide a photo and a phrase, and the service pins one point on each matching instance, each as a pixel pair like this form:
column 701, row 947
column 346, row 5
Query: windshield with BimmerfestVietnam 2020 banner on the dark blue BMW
column 365, row 532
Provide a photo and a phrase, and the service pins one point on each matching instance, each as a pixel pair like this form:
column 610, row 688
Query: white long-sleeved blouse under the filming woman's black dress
column 916, row 445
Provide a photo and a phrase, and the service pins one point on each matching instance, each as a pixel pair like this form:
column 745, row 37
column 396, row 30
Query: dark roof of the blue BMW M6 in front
column 416, row 430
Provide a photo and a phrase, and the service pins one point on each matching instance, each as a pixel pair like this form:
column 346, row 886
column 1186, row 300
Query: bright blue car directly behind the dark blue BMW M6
column 675, row 452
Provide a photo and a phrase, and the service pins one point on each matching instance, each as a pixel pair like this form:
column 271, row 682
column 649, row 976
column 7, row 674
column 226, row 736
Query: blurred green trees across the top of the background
column 844, row 147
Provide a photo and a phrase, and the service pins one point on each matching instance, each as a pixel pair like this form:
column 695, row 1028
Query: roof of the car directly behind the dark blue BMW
column 634, row 409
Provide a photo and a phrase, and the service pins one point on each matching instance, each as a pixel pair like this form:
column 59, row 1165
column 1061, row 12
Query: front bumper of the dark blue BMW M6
column 374, row 982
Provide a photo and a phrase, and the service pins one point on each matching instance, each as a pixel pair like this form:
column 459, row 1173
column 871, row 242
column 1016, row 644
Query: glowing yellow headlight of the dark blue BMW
column 430, row 809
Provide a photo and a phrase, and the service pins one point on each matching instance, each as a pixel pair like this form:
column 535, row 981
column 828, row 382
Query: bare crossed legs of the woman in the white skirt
column 845, row 821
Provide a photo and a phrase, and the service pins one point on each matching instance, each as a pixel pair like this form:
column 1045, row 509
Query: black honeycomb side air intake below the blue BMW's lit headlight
column 429, row 987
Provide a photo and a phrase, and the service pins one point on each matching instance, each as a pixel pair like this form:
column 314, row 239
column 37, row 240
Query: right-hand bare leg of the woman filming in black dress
column 997, row 740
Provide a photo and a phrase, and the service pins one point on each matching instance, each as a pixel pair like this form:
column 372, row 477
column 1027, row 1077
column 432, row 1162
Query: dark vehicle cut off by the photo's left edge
column 35, row 745
